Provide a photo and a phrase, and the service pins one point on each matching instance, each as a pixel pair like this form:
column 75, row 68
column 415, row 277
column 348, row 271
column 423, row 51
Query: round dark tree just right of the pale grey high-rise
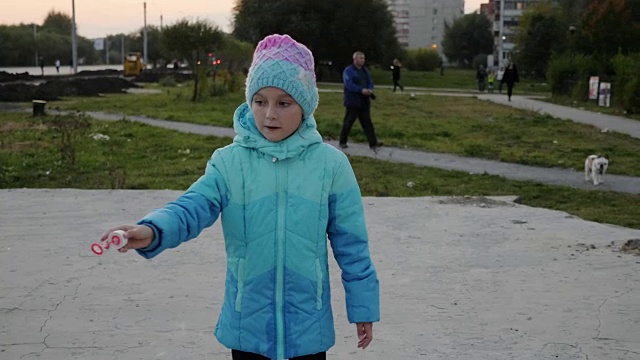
column 466, row 38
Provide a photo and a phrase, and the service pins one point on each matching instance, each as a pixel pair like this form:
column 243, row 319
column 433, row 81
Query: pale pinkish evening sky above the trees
column 97, row 19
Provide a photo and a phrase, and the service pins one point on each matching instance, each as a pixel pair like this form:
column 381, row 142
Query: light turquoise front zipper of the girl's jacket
column 281, row 187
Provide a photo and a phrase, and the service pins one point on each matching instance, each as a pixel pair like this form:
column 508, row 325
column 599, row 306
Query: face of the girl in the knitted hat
column 277, row 115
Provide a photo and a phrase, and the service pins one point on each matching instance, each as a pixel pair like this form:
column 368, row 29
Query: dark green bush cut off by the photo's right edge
column 627, row 86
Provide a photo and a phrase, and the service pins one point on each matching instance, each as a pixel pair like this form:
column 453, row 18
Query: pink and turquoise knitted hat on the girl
column 281, row 62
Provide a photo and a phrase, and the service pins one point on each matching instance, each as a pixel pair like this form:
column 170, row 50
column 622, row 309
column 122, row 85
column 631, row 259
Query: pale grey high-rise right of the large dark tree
column 420, row 23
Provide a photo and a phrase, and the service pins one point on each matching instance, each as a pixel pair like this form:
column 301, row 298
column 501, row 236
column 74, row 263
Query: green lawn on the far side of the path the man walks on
column 456, row 125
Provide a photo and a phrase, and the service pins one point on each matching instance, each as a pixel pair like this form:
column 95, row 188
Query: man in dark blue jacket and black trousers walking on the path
column 358, row 93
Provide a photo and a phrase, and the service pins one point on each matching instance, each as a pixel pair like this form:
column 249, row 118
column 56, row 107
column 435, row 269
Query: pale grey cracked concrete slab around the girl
column 461, row 278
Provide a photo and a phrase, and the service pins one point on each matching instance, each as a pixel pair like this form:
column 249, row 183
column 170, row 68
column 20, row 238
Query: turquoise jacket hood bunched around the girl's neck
column 248, row 135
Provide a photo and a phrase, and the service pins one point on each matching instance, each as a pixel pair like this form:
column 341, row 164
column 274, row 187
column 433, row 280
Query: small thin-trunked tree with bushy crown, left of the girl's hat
column 192, row 40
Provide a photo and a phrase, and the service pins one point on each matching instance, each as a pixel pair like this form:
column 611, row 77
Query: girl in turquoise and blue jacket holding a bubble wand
column 281, row 192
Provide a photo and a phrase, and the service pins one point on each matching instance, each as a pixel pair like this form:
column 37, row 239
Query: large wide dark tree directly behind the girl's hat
column 364, row 25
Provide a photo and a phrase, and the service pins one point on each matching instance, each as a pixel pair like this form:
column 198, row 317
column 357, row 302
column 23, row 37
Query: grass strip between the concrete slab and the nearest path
column 53, row 153
